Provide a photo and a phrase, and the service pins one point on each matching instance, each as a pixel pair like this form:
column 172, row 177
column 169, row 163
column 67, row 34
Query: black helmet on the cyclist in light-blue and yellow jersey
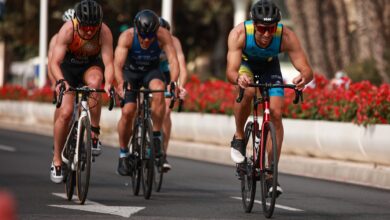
column 265, row 12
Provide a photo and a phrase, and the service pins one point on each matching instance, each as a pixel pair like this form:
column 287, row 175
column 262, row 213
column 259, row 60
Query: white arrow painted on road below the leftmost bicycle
column 90, row 206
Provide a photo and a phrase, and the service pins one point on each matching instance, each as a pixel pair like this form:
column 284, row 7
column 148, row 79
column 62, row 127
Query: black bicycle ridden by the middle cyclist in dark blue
column 142, row 156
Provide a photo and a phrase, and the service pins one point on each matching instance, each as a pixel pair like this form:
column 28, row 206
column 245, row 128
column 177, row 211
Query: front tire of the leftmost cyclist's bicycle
column 83, row 170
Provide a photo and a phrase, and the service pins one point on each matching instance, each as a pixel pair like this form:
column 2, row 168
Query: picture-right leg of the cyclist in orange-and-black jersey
column 93, row 78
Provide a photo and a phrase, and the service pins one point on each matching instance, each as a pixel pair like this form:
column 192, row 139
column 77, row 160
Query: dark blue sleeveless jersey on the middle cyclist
column 141, row 60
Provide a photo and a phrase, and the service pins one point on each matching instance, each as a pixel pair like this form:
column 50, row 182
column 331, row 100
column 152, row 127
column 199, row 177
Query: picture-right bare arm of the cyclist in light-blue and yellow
column 292, row 46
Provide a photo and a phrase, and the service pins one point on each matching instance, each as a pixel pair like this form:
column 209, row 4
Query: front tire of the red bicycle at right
column 268, row 201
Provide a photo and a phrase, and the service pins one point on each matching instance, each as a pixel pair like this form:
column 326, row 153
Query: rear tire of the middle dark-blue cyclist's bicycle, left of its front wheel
column 135, row 152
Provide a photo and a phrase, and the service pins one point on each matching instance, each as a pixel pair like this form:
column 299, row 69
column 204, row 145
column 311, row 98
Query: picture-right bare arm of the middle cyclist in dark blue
column 166, row 43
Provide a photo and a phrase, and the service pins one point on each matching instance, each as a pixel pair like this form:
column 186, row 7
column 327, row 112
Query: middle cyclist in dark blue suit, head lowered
column 137, row 61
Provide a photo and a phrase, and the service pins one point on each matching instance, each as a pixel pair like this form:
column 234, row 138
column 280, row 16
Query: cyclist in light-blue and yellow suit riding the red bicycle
column 253, row 48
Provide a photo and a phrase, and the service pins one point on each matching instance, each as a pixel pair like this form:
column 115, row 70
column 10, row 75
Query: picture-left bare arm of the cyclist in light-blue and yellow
column 236, row 42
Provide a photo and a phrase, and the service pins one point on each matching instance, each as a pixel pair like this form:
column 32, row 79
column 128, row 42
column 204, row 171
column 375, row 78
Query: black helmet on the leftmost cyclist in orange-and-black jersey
column 89, row 13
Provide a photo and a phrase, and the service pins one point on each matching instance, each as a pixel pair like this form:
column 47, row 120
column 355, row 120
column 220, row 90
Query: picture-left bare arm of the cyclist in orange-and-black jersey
column 65, row 36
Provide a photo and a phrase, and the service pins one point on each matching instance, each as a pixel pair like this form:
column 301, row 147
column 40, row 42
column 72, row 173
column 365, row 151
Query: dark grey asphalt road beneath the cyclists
column 192, row 190
